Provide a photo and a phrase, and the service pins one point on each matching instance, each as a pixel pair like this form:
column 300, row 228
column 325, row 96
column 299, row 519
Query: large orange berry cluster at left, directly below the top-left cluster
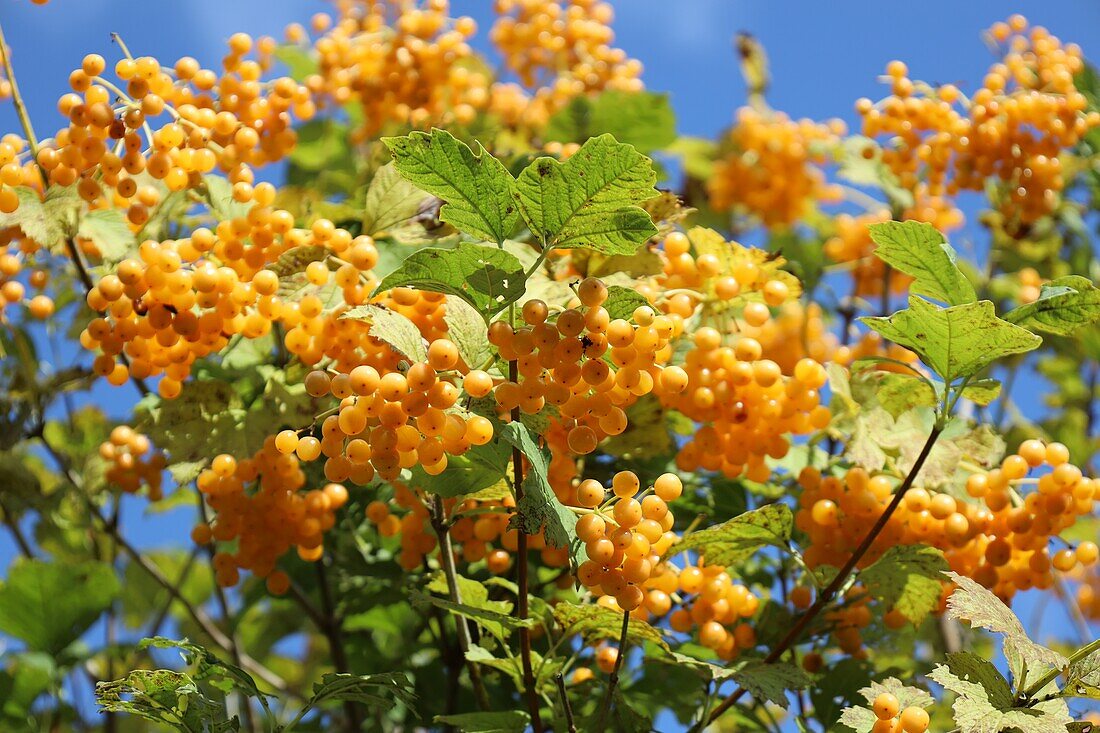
column 173, row 304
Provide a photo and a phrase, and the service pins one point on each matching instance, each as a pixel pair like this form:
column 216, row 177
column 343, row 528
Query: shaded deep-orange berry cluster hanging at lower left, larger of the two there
column 260, row 504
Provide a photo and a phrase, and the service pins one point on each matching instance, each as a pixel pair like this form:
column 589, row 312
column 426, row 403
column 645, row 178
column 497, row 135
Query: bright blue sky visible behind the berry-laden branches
column 823, row 56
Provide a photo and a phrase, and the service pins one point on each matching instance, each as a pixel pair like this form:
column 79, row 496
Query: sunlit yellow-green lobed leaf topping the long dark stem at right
column 956, row 343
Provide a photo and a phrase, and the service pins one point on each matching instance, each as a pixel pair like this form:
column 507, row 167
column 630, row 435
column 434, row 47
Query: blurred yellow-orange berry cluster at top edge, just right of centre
column 560, row 50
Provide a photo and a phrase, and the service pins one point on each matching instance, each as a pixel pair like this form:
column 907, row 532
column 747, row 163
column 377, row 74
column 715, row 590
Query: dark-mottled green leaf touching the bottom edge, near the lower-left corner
column 162, row 696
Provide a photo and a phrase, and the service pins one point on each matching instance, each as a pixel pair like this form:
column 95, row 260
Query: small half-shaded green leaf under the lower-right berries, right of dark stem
column 908, row 578
